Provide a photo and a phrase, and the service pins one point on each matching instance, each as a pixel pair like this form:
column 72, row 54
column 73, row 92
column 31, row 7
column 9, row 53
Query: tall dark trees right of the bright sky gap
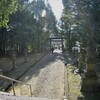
column 81, row 21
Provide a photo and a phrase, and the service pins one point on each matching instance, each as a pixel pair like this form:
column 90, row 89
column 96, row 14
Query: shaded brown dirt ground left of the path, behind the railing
column 22, row 67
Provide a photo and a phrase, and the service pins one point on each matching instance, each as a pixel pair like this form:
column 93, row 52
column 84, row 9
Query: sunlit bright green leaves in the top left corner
column 7, row 7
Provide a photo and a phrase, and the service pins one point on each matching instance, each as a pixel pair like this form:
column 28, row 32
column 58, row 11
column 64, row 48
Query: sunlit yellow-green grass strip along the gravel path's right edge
column 74, row 84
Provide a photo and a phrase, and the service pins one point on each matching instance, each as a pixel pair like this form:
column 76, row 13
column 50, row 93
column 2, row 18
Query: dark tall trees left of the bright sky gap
column 25, row 27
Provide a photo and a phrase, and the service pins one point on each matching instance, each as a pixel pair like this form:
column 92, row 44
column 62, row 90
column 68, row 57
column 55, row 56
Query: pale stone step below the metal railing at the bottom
column 8, row 96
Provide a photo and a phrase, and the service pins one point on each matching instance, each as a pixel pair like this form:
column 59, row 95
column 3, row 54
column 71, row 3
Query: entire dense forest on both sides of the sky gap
column 23, row 25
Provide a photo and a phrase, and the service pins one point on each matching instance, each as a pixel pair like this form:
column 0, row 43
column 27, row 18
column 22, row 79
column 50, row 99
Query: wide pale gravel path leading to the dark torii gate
column 46, row 78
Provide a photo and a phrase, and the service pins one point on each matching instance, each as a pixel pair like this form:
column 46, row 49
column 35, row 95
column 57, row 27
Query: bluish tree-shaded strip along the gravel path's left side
column 35, row 70
